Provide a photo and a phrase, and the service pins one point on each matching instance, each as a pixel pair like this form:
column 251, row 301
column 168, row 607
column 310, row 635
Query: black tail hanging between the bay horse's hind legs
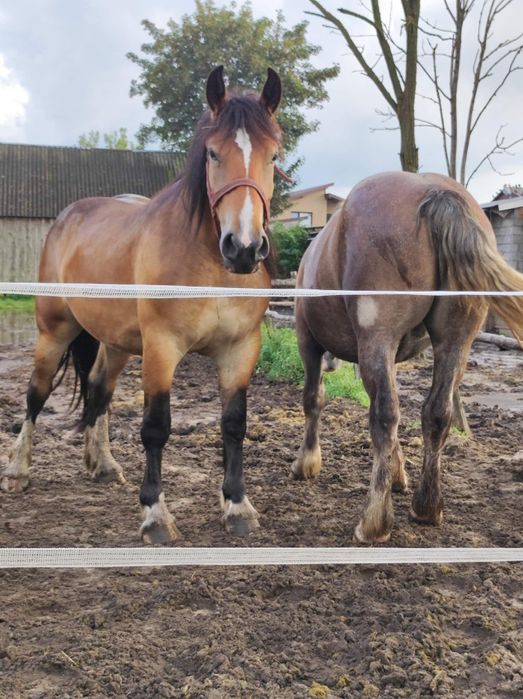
column 82, row 352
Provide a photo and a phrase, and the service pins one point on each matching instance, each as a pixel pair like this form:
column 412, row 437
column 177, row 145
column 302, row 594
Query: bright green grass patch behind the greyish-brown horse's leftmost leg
column 280, row 359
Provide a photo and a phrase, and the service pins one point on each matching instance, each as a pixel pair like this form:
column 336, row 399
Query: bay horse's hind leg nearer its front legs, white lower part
column 102, row 380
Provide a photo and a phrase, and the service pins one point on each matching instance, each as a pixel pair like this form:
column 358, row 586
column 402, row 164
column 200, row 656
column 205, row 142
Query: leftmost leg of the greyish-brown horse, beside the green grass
column 308, row 462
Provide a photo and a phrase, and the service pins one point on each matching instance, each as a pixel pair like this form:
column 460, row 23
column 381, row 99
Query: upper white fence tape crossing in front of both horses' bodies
column 152, row 291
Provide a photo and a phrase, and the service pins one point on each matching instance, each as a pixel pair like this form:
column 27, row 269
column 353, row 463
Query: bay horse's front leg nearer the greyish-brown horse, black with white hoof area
column 235, row 366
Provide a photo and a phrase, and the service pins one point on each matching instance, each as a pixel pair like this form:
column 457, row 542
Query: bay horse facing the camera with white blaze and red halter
column 208, row 228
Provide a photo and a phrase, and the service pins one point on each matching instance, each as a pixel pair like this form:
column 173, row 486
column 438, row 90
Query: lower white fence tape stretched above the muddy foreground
column 263, row 556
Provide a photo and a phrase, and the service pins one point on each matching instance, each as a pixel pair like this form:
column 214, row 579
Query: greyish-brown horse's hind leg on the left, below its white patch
column 378, row 374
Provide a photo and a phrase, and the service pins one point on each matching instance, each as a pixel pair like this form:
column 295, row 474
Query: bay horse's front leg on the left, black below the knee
column 160, row 358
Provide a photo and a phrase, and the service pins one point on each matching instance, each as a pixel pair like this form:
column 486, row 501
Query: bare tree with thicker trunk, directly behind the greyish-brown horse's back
column 400, row 93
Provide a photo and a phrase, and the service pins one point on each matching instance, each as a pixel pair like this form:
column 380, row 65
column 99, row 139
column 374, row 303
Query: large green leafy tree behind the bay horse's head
column 176, row 62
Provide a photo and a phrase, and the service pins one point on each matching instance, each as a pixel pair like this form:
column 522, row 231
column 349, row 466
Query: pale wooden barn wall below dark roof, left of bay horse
column 21, row 242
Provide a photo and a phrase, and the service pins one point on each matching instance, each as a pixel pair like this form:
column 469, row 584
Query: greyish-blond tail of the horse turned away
column 468, row 259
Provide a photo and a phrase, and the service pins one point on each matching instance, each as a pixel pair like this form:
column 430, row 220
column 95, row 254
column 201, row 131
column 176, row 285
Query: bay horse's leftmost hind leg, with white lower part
column 50, row 349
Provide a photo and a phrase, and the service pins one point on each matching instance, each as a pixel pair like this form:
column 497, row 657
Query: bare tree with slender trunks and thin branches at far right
column 496, row 62
